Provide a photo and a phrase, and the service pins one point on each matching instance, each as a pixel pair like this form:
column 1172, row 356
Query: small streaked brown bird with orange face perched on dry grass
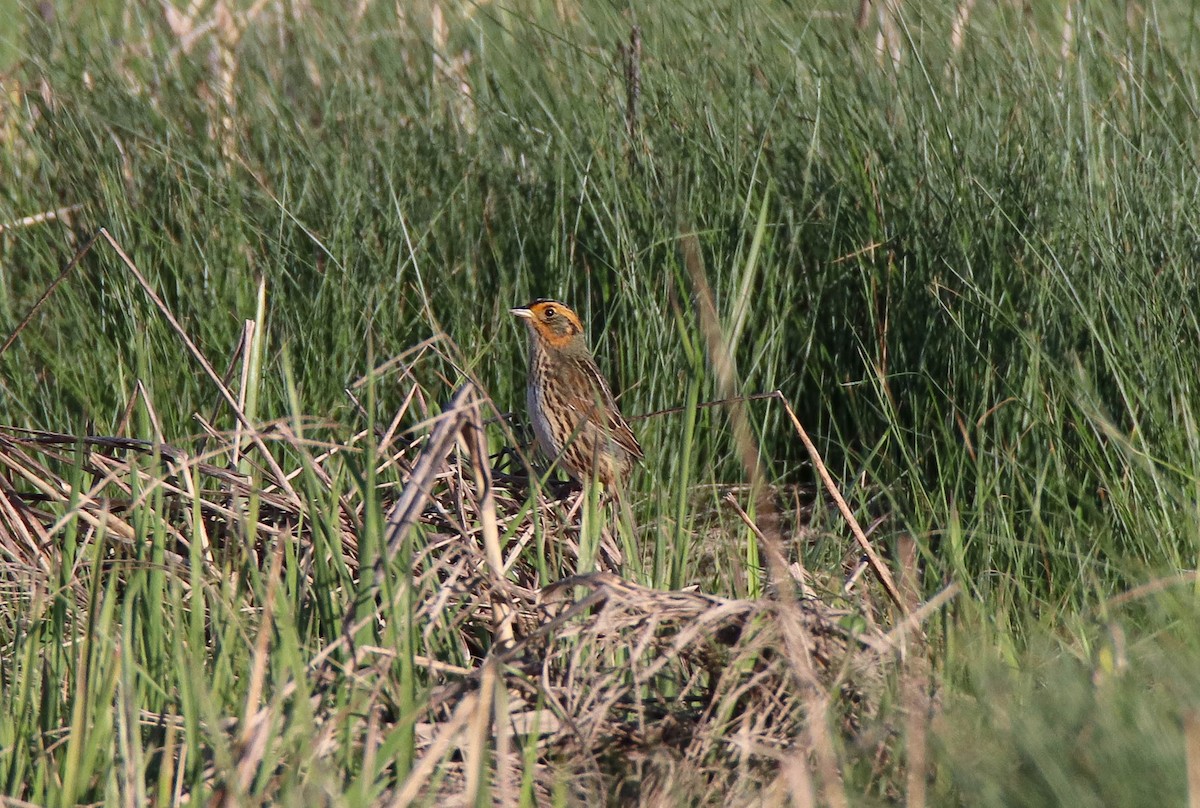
column 574, row 415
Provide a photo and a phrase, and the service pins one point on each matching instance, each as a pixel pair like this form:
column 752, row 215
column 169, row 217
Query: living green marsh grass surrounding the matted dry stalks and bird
column 974, row 276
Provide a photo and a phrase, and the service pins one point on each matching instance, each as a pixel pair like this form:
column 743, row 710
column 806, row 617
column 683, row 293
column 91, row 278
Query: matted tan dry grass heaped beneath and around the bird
column 631, row 692
